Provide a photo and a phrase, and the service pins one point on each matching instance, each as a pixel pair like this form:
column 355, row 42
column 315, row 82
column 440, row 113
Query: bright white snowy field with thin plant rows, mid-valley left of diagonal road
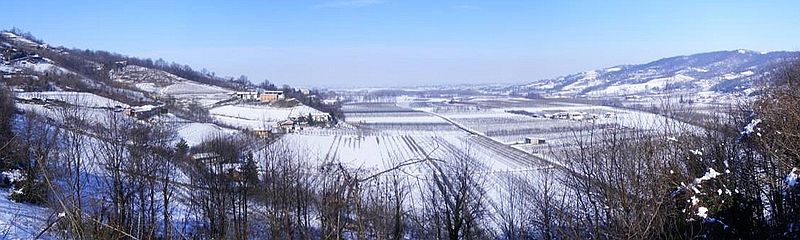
column 384, row 150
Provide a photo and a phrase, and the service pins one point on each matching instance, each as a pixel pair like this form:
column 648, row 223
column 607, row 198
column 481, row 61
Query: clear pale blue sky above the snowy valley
column 354, row 43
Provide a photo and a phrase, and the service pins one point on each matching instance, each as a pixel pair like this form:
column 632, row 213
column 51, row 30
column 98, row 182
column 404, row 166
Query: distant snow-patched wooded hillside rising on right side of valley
column 724, row 72
